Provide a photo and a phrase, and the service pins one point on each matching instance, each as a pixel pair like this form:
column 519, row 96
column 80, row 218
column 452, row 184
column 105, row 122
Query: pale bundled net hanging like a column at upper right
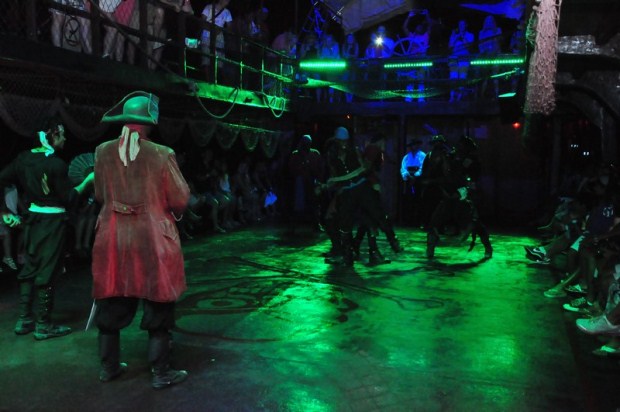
column 543, row 27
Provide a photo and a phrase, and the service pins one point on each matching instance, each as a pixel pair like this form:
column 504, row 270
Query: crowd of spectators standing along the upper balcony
column 241, row 30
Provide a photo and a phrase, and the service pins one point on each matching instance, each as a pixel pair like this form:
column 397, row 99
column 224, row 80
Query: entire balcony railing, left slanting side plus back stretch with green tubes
column 157, row 36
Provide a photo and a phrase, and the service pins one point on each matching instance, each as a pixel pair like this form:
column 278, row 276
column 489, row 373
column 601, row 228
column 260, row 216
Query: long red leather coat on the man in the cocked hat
column 137, row 251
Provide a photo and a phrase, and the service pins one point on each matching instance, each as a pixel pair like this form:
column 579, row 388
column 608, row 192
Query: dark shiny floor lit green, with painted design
column 266, row 325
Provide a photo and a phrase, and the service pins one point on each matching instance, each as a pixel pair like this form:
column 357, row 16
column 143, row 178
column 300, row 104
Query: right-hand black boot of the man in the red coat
column 159, row 357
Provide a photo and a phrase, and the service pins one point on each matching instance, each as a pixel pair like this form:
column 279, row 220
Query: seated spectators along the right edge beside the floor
column 581, row 240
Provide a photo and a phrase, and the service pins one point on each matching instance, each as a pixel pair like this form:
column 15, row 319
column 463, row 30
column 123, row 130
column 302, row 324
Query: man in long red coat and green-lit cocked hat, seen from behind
column 137, row 252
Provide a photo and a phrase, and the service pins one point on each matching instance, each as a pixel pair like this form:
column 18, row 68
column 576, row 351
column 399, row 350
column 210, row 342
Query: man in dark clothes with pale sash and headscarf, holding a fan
column 42, row 177
